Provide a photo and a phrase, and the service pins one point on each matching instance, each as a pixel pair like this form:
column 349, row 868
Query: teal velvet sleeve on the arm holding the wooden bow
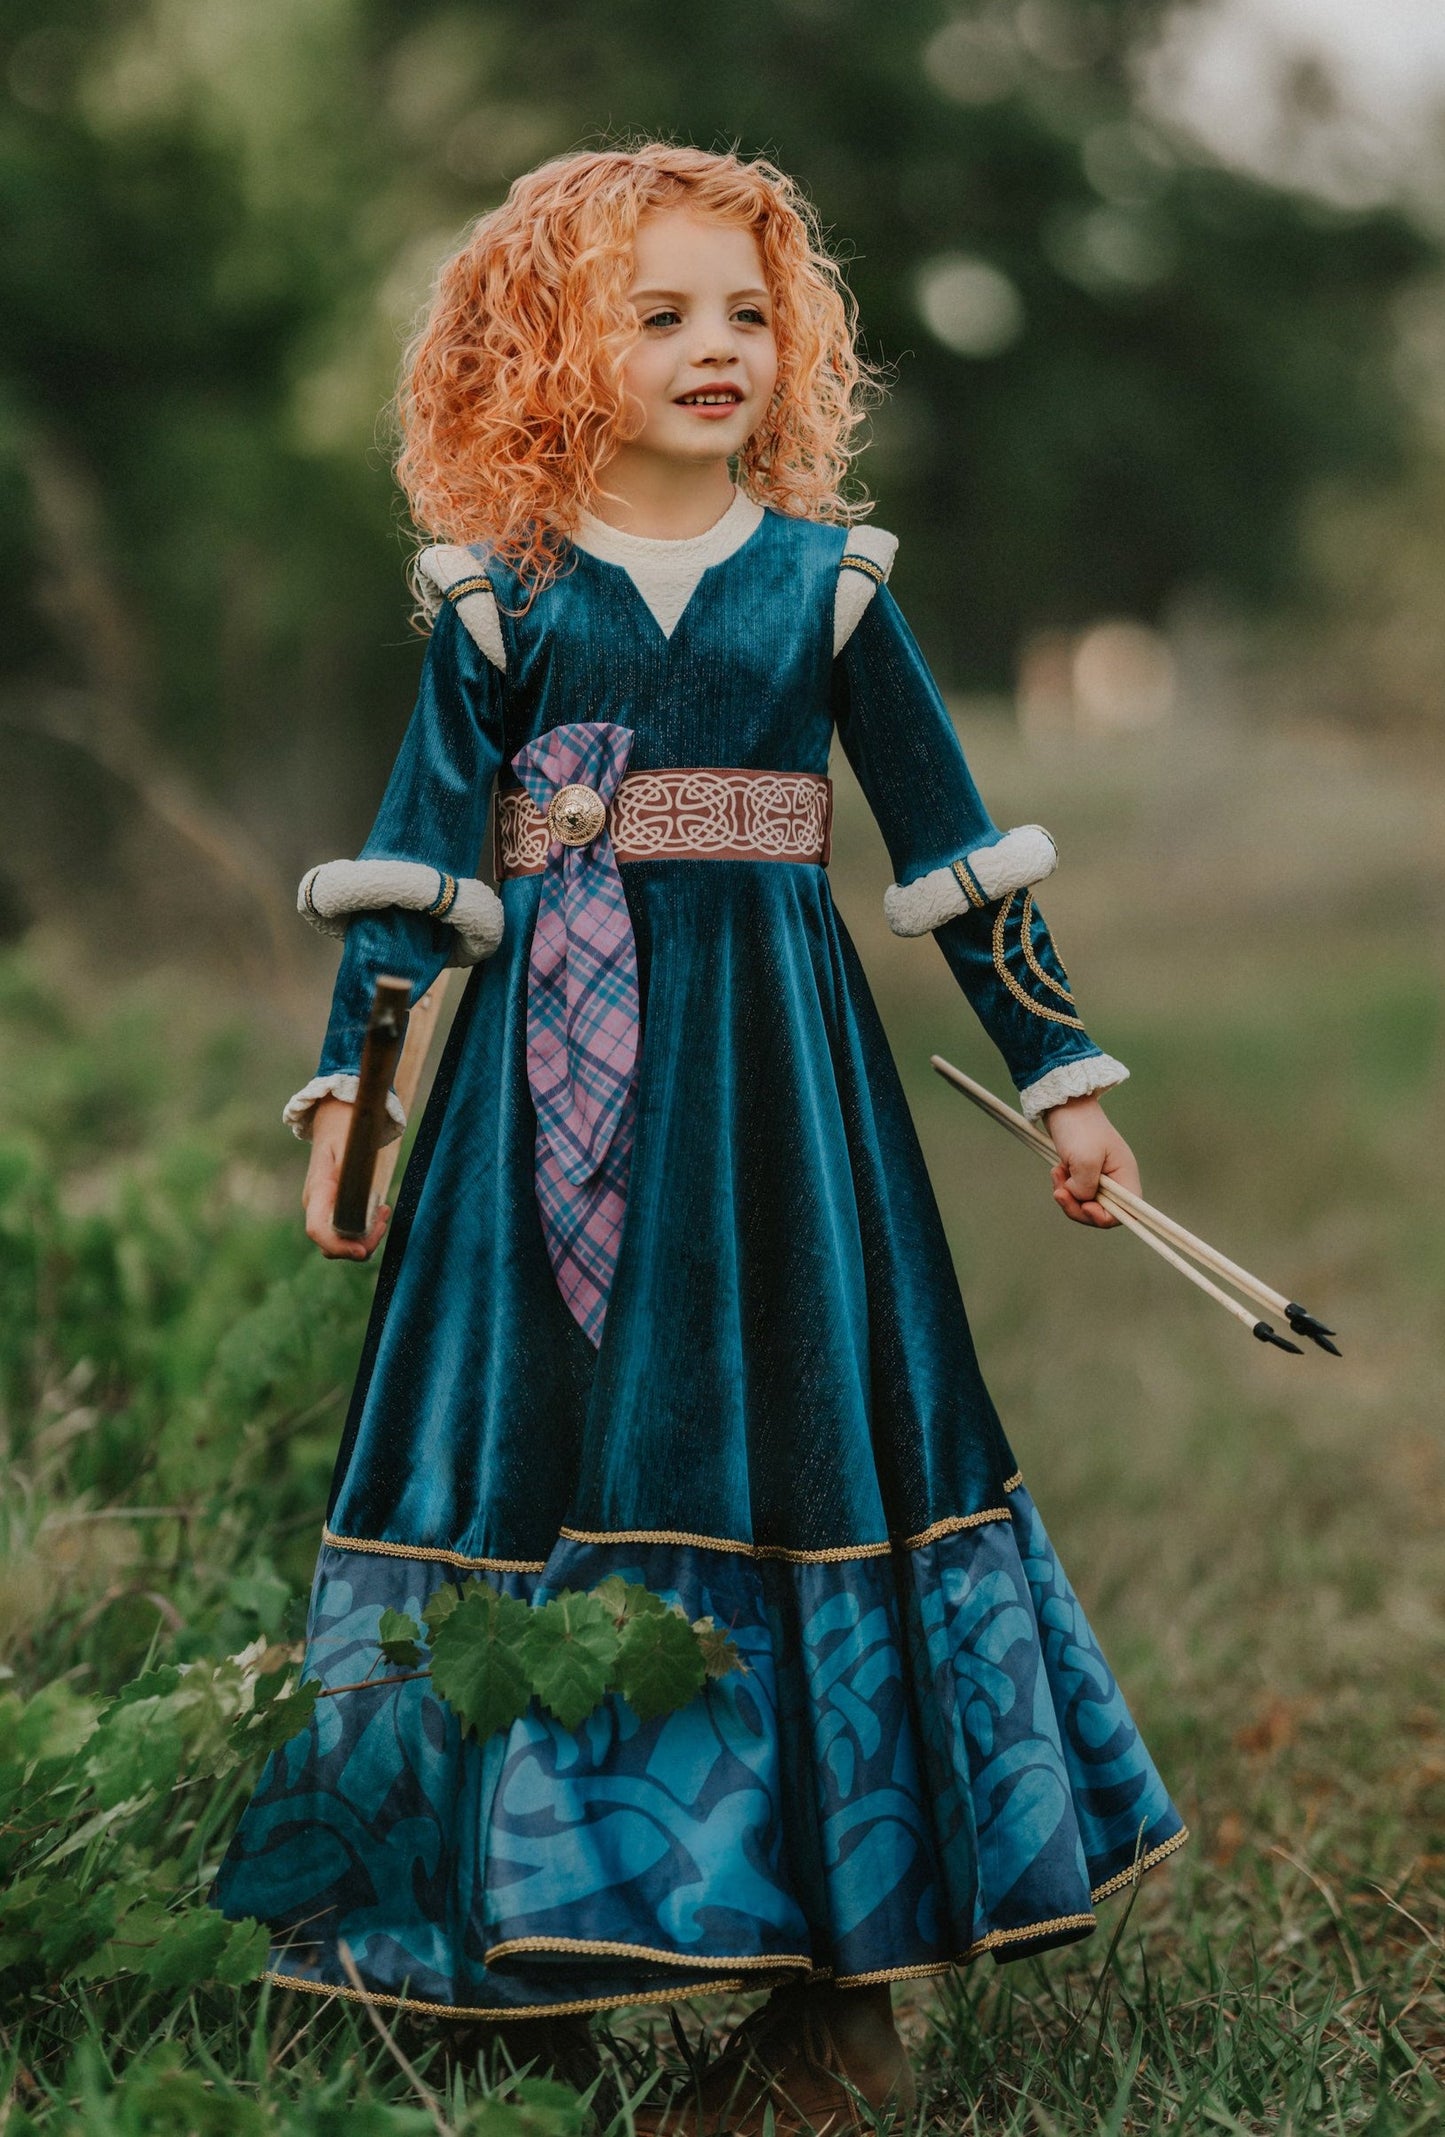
column 435, row 811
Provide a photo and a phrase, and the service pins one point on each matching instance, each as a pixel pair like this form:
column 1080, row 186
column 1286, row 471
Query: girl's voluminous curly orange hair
column 512, row 392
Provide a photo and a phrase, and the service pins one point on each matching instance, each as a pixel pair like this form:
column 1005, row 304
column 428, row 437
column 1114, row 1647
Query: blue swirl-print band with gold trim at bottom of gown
column 925, row 1760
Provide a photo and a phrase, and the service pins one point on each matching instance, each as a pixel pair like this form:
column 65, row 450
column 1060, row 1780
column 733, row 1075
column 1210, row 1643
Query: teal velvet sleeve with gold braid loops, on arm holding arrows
column 901, row 743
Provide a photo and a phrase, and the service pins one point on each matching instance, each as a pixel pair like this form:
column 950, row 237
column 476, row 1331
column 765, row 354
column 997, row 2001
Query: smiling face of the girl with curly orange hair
column 700, row 381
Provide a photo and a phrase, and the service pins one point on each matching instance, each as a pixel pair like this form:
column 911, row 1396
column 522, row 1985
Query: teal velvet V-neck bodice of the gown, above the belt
column 741, row 681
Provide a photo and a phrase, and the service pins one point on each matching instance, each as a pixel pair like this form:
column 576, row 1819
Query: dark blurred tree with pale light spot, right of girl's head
column 1117, row 369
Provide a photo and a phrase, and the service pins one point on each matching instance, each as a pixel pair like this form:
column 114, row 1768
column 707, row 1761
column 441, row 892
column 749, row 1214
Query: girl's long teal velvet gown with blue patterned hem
column 783, row 1426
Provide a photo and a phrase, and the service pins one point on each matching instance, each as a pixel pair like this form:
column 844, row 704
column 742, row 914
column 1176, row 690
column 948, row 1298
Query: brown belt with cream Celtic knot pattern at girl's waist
column 681, row 813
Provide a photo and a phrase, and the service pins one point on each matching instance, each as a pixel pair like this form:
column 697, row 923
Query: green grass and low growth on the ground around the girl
column 1258, row 1540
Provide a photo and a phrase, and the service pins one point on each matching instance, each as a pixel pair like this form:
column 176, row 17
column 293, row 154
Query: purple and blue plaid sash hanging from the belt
column 582, row 1025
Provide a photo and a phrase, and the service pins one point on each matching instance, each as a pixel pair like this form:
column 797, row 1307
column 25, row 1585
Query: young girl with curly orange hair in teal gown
column 668, row 1294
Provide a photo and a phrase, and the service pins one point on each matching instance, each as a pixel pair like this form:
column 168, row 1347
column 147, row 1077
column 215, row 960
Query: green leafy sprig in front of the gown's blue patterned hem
column 493, row 1655
